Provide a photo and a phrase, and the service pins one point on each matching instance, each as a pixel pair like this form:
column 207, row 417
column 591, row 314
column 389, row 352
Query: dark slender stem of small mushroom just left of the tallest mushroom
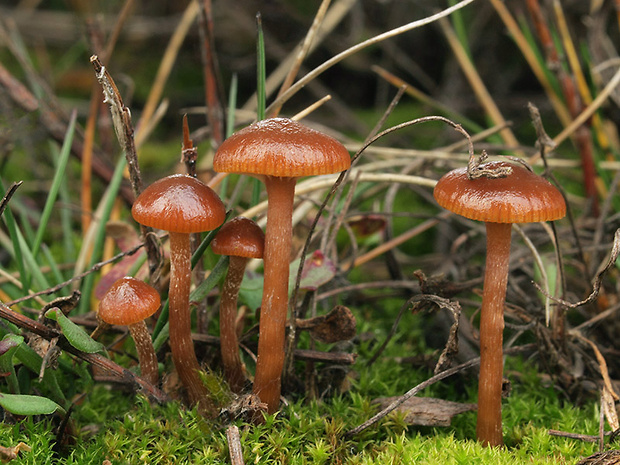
column 229, row 343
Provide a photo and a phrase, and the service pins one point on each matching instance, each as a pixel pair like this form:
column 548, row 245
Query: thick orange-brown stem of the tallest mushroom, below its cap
column 278, row 238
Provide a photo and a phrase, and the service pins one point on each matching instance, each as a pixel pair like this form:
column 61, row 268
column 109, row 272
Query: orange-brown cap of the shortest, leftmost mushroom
column 128, row 301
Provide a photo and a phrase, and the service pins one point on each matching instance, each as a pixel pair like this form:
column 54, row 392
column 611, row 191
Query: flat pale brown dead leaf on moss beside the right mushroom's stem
column 427, row 411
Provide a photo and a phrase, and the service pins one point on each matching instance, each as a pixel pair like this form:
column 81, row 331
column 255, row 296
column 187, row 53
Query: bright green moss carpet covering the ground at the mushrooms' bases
column 127, row 430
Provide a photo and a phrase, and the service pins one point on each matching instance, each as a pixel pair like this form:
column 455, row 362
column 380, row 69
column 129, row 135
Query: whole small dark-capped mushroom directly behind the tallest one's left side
column 240, row 239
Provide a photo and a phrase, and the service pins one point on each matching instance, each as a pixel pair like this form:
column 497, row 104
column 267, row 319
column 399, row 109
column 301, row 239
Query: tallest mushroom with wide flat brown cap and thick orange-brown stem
column 277, row 151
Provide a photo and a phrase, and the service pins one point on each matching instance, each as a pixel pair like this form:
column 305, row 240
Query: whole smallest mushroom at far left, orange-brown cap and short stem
column 128, row 302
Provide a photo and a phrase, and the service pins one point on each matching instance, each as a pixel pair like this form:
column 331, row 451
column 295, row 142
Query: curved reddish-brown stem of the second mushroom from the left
column 181, row 345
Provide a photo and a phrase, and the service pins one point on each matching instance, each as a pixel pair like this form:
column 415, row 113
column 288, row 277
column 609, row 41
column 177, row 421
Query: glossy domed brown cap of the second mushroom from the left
column 179, row 203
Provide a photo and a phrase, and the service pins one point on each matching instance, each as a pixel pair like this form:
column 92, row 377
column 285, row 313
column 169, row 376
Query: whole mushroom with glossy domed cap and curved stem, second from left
column 181, row 205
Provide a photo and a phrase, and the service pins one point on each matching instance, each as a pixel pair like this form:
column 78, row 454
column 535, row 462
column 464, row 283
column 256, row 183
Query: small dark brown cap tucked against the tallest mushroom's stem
column 239, row 237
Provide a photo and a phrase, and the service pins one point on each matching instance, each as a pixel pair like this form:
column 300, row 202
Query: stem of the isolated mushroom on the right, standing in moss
column 489, row 426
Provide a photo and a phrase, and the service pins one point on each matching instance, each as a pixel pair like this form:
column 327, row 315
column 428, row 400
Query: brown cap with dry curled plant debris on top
column 520, row 197
